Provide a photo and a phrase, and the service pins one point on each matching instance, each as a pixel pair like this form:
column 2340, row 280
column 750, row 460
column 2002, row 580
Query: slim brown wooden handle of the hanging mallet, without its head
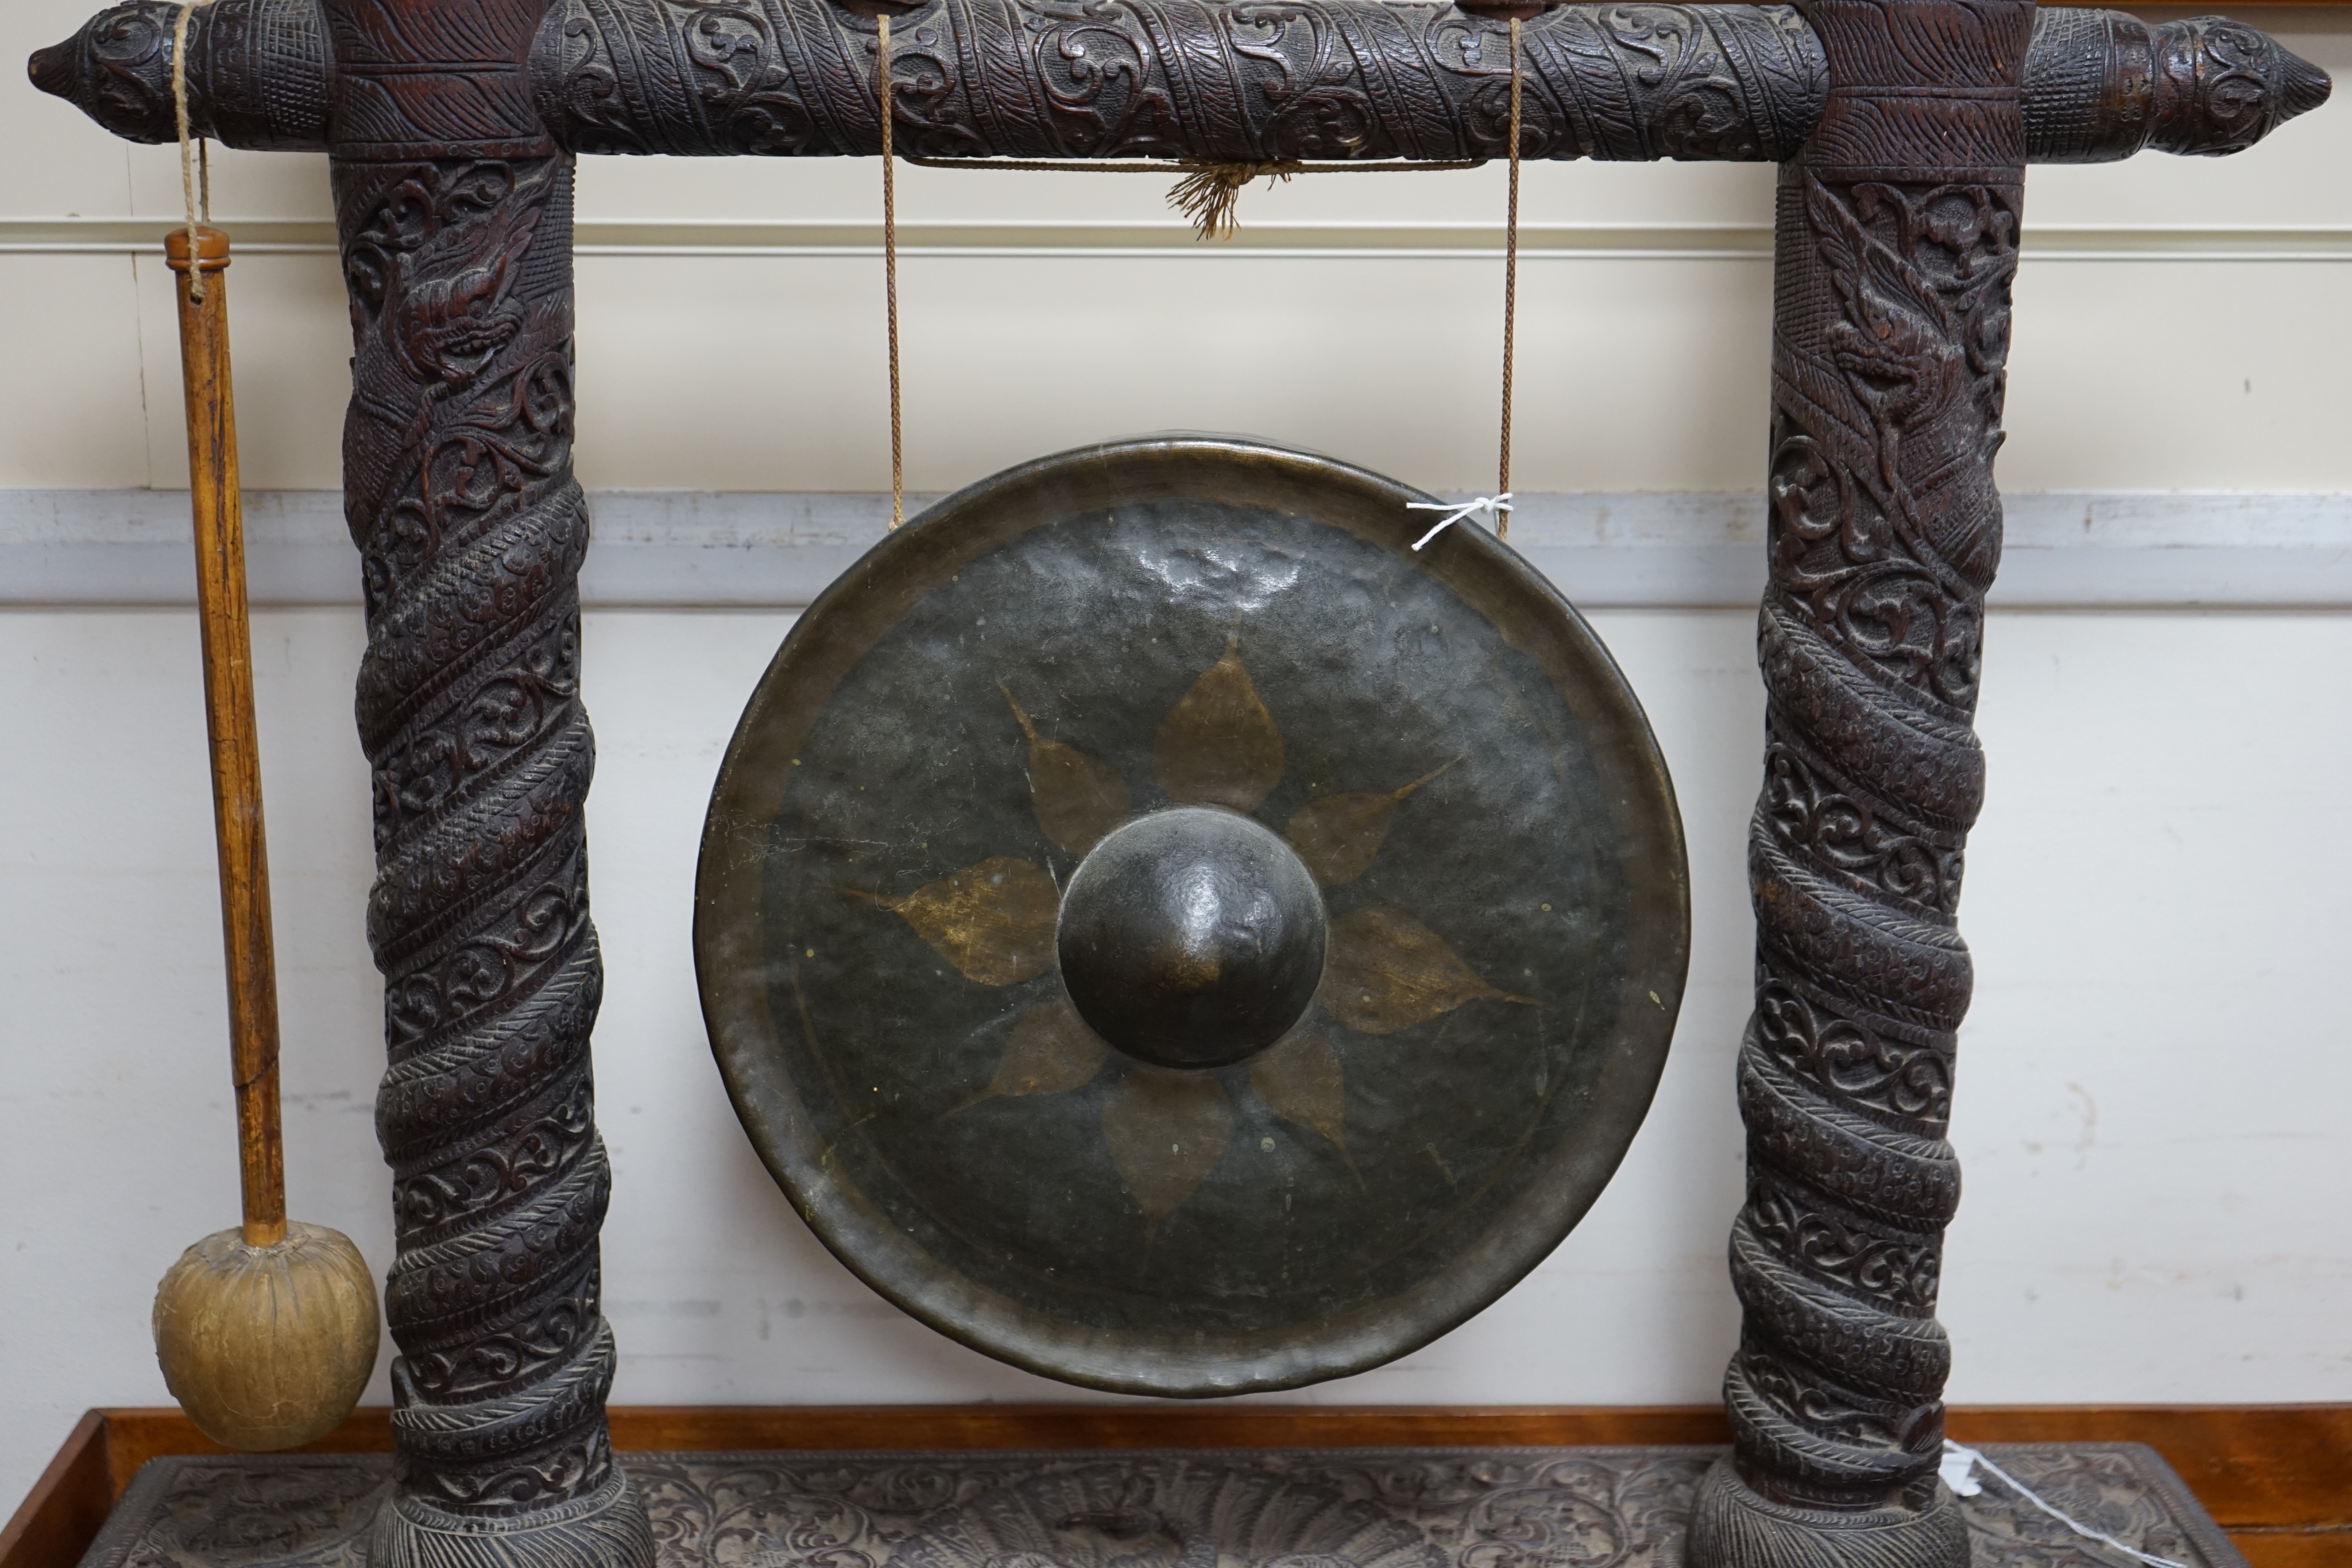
column 229, row 718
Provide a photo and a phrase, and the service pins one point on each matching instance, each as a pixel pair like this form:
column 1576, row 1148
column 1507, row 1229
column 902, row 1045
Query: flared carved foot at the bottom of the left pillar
column 603, row 1529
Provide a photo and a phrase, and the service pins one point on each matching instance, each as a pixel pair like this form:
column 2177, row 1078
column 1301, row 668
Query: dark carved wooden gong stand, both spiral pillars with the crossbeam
column 1902, row 128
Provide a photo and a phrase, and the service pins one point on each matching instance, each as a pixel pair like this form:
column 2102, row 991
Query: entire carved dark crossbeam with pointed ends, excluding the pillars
column 1180, row 79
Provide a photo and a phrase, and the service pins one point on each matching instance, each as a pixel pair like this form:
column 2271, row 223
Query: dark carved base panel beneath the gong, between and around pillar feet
column 1370, row 1508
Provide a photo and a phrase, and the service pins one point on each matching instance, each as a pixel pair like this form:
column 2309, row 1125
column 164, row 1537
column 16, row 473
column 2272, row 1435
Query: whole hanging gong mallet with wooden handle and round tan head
column 267, row 1334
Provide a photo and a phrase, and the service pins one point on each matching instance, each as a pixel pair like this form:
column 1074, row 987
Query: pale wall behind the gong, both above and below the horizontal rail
column 2156, row 1064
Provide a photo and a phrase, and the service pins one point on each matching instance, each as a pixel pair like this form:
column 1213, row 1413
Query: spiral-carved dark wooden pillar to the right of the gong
column 1897, row 246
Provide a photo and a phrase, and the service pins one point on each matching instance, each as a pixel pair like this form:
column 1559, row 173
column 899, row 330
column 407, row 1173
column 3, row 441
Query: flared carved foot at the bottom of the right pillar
column 1742, row 1529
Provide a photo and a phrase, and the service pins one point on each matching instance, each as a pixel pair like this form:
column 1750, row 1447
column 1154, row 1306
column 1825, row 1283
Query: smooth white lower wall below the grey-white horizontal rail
column 2151, row 1094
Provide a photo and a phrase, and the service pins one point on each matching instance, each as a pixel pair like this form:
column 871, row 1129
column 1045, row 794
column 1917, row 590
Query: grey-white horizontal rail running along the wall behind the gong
column 777, row 551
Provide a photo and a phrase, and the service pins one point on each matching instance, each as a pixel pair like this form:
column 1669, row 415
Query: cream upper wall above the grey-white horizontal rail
column 2141, row 370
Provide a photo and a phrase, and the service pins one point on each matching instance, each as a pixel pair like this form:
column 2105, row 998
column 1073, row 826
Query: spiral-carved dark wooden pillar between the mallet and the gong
column 455, row 217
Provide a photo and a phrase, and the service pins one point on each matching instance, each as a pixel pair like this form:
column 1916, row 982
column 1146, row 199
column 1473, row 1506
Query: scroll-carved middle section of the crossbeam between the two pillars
column 1177, row 79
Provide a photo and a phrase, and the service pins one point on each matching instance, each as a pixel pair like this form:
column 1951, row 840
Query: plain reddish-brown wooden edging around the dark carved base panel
column 2276, row 1477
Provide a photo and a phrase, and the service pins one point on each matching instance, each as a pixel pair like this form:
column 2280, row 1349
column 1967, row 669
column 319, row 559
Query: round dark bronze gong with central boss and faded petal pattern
column 1168, row 934
